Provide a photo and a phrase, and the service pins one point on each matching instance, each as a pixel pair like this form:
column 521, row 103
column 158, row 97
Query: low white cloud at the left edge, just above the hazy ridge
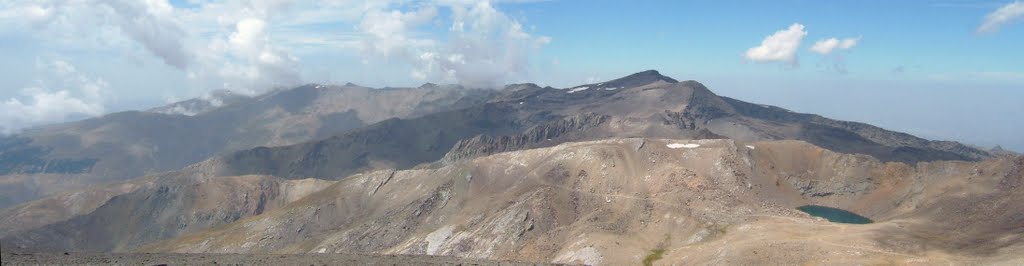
column 66, row 95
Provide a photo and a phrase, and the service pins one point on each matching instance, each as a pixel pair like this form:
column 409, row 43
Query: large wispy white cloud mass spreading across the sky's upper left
column 218, row 46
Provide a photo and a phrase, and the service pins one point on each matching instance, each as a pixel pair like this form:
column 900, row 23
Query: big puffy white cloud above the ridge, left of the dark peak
column 485, row 48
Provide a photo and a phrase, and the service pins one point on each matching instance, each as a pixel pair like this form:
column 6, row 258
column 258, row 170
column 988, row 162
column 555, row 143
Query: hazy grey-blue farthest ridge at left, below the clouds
column 124, row 146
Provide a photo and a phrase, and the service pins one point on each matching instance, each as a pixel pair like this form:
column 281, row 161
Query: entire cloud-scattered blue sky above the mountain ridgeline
column 943, row 70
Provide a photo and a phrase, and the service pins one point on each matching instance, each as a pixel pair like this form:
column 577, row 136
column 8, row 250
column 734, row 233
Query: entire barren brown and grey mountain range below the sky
column 608, row 173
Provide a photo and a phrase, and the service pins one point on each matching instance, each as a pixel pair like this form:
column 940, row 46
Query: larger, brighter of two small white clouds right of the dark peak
column 779, row 48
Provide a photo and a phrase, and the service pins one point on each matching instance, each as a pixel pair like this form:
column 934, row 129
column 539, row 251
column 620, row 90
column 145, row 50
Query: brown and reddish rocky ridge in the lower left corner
column 147, row 211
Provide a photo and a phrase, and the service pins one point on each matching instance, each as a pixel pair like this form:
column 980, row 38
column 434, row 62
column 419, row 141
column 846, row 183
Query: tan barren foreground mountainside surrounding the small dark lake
column 614, row 202
